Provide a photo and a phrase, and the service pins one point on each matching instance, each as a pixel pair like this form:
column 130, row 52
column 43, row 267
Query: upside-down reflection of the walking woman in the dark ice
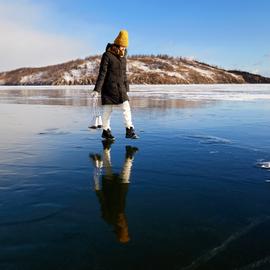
column 113, row 190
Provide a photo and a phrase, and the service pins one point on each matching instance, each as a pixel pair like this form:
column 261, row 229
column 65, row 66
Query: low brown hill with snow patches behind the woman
column 142, row 69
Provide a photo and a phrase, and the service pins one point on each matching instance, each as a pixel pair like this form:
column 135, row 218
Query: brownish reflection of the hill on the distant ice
column 80, row 97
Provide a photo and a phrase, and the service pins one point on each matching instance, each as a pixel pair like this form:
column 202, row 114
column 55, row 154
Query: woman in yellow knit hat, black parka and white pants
column 113, row 85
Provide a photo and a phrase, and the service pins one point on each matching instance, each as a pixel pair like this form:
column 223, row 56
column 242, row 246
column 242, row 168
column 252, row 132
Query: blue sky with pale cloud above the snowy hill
column 230, row 34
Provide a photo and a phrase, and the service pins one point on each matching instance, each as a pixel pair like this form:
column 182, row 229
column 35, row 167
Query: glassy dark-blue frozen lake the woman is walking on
column 196, row 194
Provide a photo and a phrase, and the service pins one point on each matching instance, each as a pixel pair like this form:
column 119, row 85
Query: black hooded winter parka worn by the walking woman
column 112, row 80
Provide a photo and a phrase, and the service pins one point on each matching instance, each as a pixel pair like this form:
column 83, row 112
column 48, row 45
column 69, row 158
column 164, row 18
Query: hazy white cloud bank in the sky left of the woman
column 24, row 44
